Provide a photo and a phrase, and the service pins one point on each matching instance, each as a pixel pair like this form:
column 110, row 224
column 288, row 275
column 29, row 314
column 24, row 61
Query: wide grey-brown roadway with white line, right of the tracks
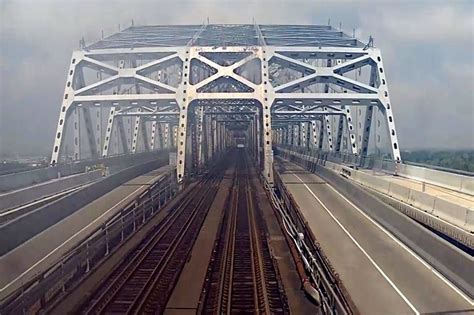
column 380, row 273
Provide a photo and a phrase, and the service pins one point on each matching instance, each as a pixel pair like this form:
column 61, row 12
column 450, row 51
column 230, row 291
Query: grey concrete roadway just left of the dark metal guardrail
column 37, row 254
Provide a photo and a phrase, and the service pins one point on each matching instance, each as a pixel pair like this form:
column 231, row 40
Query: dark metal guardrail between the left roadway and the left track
column 66, row 274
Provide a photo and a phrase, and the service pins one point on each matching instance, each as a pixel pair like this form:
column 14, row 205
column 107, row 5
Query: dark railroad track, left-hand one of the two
column 144, row 282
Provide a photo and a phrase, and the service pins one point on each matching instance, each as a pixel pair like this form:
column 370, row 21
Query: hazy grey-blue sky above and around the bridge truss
column 428, row 49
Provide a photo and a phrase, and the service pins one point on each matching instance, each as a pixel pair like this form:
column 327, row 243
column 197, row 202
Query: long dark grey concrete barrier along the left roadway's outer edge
column 25, row 227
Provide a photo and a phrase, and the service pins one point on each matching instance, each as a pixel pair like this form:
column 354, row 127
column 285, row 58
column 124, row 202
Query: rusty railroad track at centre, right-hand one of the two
column 242, row 275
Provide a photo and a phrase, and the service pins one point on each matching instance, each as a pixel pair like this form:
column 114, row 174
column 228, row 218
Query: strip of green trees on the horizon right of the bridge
column 461, row 160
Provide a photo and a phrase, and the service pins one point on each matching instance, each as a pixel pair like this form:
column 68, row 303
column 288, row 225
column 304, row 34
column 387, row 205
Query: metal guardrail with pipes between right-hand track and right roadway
column 333, row 296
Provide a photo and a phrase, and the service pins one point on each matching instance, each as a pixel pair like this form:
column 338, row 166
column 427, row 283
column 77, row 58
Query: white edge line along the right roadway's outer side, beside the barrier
column 405, row 247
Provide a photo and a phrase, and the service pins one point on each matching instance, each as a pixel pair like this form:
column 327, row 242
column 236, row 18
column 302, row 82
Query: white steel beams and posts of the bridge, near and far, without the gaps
column 265, row 107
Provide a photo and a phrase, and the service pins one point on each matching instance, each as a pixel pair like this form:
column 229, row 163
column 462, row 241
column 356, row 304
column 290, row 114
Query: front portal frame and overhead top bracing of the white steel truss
column 173, row 68
